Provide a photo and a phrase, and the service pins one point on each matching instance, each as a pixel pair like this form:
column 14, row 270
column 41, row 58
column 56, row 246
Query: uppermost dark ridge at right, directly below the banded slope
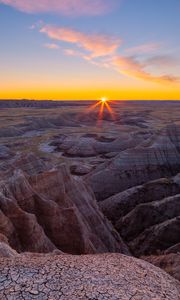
column 119, row 205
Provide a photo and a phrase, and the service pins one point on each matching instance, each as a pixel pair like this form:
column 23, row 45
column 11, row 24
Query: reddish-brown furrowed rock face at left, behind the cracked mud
column 45, row 209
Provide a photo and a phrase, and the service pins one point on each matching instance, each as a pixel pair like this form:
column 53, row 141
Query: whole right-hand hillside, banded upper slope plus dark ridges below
column 144, row 211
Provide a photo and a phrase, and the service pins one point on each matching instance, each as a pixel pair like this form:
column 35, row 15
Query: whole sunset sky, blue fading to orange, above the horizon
column 88, row 49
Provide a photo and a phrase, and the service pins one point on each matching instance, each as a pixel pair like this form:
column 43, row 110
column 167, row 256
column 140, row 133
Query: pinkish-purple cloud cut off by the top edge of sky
column 65, row 7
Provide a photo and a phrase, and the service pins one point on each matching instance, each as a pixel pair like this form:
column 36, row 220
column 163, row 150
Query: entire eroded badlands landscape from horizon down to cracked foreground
column 89, row 206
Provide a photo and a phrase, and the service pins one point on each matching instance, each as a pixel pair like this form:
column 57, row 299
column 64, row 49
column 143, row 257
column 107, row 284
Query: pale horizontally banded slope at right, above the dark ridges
column 154, row 158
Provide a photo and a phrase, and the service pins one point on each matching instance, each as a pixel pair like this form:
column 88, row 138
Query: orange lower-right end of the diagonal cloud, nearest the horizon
column 131, row 67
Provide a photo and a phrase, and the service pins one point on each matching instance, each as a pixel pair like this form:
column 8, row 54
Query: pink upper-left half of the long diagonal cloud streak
column 97, row 45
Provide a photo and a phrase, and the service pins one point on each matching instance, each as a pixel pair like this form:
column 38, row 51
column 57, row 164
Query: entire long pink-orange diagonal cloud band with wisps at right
column 104, row 51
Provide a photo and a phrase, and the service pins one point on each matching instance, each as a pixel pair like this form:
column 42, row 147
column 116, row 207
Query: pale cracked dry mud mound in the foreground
column 106, row 276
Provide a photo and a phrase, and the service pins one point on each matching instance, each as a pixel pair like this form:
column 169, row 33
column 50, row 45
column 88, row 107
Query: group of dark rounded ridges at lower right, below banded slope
column 142, row 215
